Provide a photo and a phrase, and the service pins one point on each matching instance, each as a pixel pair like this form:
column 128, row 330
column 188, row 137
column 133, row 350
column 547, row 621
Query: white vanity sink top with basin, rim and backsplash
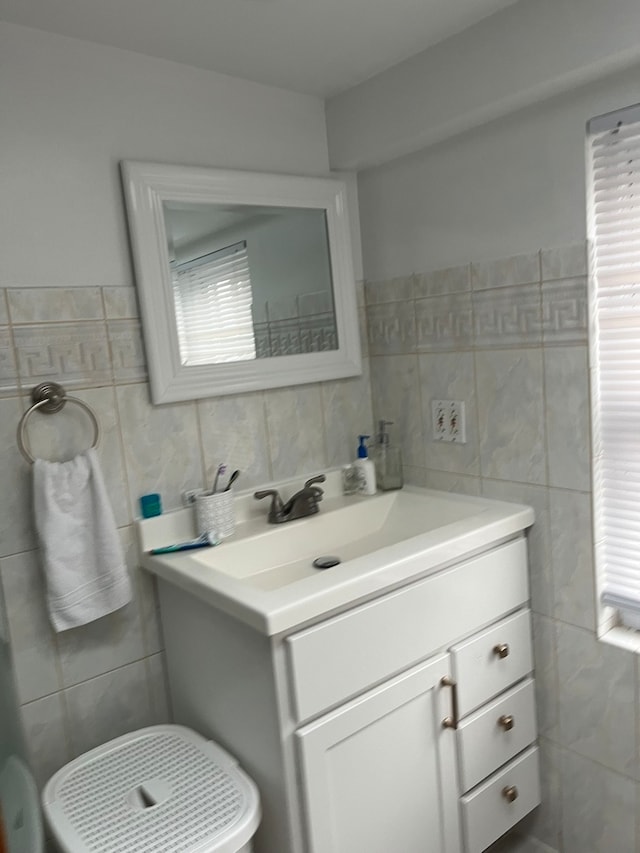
column 264, row 574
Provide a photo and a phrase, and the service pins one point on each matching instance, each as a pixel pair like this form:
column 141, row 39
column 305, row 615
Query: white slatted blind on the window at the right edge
column 614, row 226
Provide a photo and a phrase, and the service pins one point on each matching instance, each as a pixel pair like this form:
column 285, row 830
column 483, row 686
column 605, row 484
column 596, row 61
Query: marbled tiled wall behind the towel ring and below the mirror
column 84, row 686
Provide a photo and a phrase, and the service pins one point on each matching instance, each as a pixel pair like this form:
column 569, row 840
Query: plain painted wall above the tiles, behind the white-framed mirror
column 71, row 110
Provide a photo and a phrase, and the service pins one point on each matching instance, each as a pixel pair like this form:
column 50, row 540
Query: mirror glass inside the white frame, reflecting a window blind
column 249, row 281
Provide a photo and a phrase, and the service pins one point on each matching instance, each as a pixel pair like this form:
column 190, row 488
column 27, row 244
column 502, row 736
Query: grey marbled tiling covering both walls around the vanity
column 507, row 337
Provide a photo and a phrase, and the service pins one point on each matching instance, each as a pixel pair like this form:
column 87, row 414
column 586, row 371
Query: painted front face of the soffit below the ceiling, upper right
column 515, row 58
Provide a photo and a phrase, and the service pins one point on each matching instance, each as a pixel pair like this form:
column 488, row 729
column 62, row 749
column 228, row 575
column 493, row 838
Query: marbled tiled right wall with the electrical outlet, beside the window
column 510, row 339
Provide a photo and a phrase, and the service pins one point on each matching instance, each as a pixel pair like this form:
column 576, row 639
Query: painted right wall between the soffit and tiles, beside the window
column 505, row 188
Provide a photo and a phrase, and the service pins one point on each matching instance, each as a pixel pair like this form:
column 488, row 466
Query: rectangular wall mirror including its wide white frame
column 245, row 279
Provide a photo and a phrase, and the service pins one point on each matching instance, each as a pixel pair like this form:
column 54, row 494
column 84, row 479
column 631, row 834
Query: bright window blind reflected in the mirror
column 212, row 297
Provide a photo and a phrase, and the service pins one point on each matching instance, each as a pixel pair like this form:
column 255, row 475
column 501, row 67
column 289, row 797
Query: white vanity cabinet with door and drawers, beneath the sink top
column 405, row 722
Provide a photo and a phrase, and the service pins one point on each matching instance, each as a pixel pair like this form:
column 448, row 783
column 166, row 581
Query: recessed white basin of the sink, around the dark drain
column 284, row 554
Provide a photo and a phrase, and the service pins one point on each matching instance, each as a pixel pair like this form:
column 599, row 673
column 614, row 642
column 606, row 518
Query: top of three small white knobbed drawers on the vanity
column 493, row 660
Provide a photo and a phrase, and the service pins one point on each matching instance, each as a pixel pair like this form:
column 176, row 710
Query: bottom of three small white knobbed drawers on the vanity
column 487, row 812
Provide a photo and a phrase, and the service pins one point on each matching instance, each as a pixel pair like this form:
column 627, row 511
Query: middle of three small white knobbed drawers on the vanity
column 494, row 734
